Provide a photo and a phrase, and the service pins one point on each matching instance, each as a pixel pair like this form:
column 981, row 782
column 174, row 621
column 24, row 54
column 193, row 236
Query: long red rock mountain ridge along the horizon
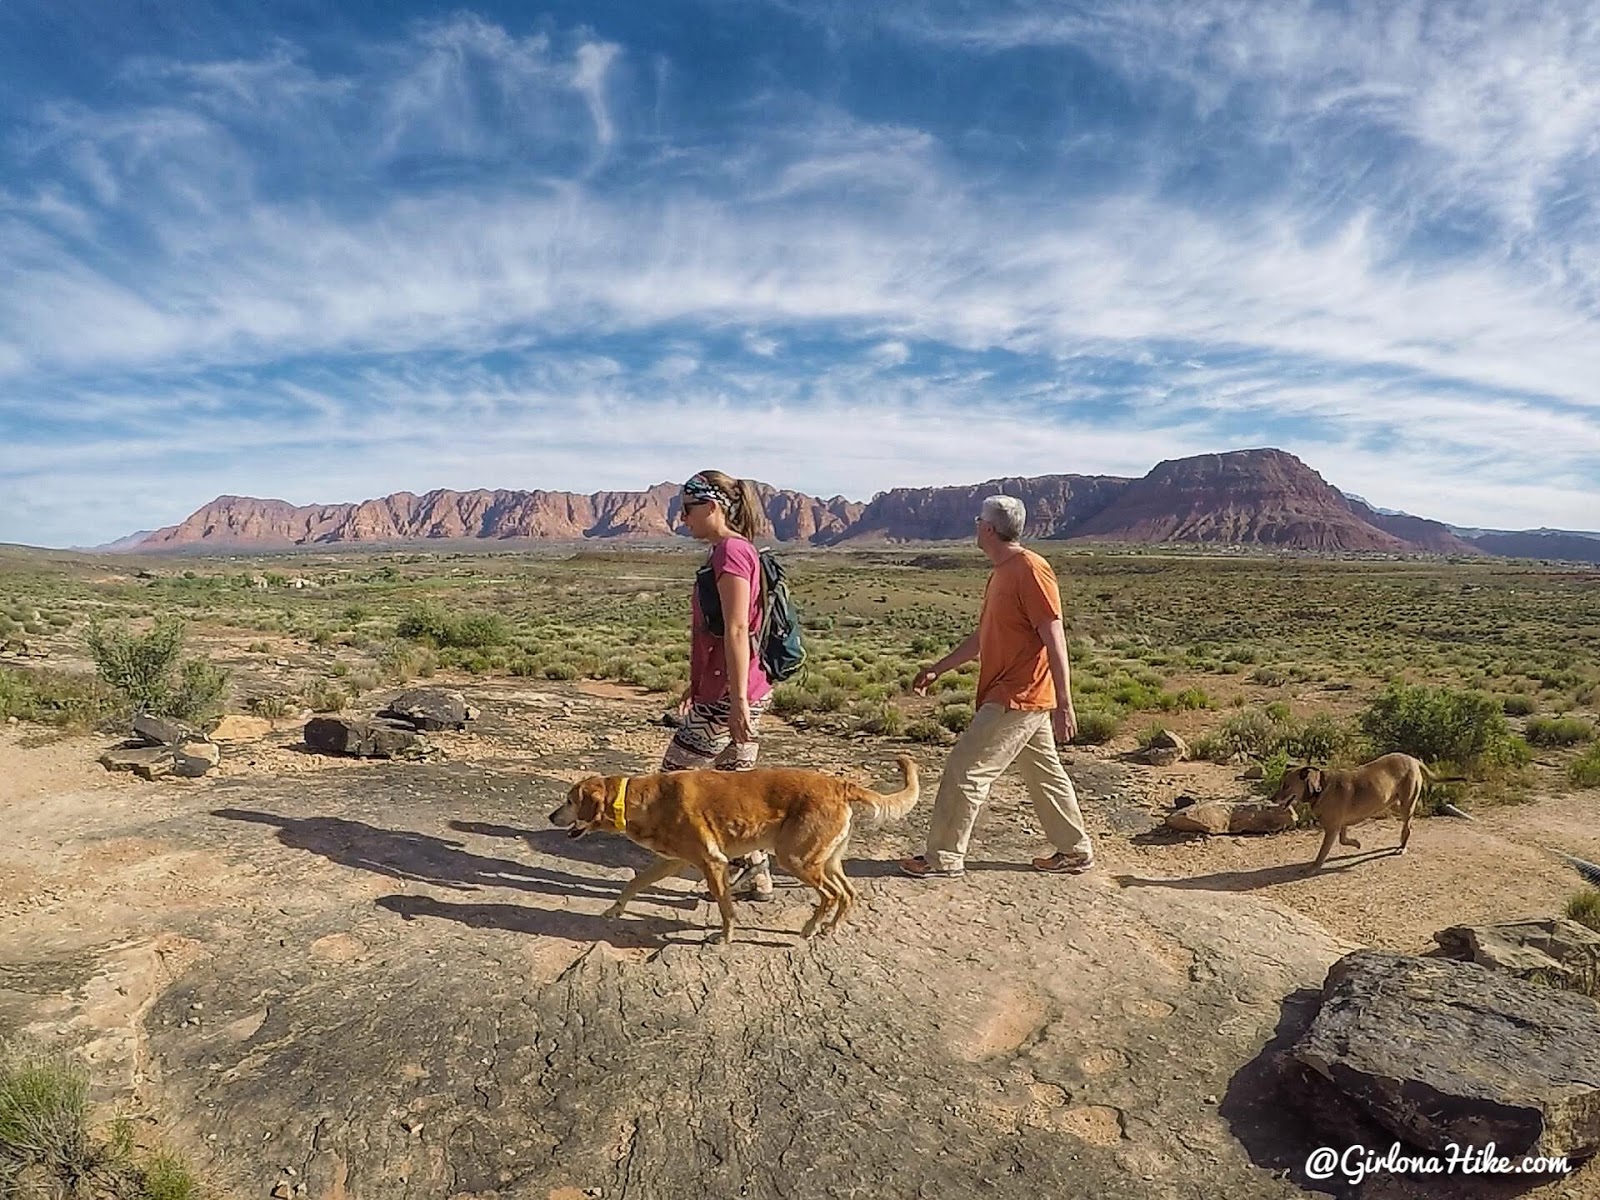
column 1266, row 498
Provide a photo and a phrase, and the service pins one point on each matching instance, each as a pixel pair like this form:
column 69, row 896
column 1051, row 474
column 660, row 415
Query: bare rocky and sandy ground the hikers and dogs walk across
column 385, row 980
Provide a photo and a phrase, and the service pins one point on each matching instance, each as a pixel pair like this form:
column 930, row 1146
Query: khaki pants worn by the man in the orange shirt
column 998, row 738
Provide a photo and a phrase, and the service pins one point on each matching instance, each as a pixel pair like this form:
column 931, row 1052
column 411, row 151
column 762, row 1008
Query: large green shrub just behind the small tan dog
column 1442, row 726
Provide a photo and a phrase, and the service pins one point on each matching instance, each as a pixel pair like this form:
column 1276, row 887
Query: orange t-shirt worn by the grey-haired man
column 1014, row 668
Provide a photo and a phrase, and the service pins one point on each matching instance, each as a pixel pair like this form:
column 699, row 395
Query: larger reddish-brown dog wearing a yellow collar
column 706, row 818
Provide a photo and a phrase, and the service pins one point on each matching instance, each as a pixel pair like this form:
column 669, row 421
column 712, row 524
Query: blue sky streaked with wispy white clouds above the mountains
column 330, row 252
